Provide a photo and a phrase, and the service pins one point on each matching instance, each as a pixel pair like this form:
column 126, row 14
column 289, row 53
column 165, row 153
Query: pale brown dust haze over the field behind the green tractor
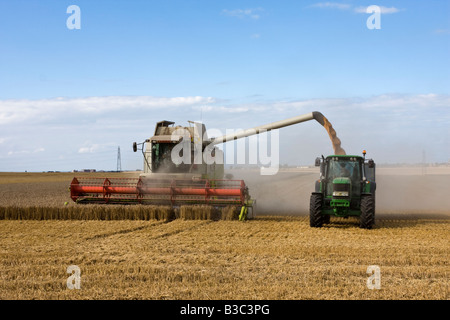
column 401, row 192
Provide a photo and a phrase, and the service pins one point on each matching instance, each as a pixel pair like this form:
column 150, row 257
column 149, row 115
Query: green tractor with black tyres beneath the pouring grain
column 346, row 188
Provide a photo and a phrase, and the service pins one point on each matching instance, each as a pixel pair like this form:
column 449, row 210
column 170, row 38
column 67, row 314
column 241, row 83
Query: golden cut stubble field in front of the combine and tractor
column 270, row 257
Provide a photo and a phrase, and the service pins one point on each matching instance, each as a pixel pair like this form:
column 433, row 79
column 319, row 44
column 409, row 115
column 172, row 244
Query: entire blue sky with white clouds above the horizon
column 69, row 98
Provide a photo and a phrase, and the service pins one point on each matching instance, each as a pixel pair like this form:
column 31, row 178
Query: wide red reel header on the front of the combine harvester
column 176, row 192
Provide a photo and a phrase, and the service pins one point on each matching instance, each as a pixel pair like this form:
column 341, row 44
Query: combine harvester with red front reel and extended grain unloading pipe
column 193, row 181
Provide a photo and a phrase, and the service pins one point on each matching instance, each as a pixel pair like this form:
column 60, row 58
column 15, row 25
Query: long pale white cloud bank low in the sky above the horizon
column 390, row 125
